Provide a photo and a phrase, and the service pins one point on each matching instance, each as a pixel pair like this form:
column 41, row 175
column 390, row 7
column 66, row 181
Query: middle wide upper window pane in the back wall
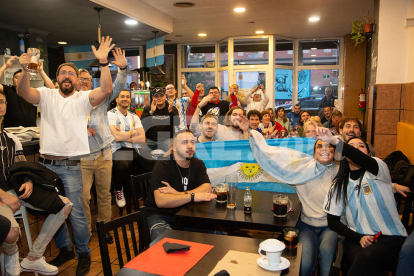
column 251, row 51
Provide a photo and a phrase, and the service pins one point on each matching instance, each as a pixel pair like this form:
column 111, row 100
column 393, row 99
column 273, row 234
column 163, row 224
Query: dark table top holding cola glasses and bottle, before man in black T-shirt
column 261, row 218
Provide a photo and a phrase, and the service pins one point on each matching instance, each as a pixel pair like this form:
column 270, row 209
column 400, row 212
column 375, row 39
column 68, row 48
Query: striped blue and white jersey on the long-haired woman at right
column 374, row 209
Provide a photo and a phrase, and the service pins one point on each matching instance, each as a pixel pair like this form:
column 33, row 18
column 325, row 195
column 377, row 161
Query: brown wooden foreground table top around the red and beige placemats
column 222, row 244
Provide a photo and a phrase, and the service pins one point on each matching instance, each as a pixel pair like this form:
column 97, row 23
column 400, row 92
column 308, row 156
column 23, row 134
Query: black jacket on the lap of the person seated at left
column 47, row 185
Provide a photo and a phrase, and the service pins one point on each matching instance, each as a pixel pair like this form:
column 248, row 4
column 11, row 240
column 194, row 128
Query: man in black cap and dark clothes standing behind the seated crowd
column 156, row 120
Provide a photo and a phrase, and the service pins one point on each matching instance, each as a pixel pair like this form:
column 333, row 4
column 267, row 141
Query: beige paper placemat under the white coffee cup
column 241, row 263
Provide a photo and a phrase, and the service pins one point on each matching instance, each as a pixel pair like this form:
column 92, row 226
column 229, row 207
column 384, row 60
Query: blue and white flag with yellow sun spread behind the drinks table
column 224, row 158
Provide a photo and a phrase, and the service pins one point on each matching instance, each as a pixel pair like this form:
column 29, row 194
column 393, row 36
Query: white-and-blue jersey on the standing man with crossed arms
column 125, row 123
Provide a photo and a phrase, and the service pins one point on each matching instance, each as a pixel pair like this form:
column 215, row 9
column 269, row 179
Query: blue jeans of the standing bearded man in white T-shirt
column 72, row 181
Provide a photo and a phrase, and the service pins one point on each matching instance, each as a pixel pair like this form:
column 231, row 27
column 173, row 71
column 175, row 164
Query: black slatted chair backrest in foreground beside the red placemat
column 134, row 221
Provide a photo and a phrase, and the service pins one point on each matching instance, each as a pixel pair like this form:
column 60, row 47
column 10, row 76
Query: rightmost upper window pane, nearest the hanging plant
column 323, row 52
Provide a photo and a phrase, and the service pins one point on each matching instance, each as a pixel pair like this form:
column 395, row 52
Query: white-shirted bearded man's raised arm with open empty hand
column 99, row 94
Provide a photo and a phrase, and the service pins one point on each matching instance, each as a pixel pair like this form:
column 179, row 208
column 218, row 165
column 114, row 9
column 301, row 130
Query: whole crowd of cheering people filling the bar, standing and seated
column 344, row 189
